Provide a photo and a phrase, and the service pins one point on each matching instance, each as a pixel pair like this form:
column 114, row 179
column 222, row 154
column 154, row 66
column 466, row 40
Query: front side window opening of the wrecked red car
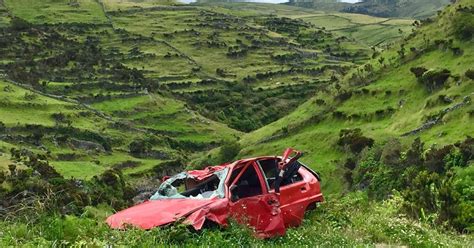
column 247, row 185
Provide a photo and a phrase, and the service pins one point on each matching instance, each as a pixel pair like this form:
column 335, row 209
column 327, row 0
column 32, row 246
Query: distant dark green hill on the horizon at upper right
column 384, row 8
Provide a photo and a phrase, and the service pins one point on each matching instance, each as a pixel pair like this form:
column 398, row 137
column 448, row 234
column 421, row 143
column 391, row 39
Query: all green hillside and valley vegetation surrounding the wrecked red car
column 98, row 99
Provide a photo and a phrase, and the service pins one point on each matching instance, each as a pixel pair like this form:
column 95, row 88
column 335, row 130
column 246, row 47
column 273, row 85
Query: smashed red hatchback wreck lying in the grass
column 269, row 193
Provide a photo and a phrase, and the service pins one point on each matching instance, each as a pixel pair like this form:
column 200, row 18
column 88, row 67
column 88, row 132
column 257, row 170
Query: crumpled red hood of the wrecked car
column 155, row 213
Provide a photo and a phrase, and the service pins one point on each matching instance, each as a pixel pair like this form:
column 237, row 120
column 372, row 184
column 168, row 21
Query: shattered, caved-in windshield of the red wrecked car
column 184, row 185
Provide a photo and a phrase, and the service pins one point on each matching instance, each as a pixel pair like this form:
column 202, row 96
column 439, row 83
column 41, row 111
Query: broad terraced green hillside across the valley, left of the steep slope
column 169, row 79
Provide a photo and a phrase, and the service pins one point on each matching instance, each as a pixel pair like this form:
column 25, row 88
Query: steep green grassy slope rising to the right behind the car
column 385, row 99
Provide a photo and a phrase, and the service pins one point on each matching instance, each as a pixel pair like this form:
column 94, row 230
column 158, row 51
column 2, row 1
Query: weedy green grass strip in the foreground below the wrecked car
column 351, row 221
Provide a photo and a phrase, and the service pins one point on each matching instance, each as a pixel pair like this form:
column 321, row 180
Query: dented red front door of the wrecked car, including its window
column 251, row 203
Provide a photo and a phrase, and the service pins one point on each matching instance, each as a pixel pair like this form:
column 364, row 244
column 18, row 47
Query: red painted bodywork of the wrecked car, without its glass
column 268, row 213
